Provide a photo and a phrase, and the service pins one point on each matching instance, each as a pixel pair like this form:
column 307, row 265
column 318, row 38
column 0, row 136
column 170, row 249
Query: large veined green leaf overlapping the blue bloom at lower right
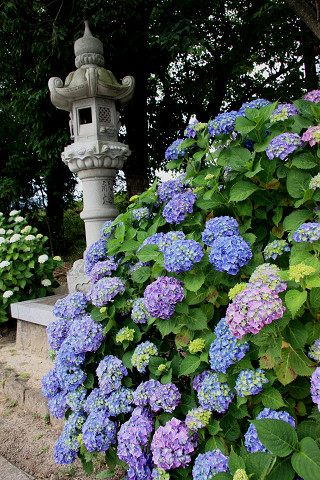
column 279, row 437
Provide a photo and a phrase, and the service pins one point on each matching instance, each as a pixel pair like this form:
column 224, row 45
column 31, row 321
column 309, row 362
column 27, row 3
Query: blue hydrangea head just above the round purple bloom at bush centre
column 182, row 255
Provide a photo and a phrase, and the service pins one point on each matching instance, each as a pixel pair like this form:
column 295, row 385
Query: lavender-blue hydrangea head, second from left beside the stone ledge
column 85, row 335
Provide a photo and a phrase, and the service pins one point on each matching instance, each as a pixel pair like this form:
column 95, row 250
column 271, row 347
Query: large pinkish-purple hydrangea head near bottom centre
column 171, row 445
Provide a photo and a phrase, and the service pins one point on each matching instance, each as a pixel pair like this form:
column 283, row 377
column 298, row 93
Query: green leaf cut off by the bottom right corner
column 306, row 462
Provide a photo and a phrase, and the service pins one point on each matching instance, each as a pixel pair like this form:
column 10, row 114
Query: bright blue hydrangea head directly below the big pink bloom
column 224, row 351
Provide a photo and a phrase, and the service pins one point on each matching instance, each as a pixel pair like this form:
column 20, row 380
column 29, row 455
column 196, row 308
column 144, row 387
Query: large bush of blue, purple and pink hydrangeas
column 196, row 355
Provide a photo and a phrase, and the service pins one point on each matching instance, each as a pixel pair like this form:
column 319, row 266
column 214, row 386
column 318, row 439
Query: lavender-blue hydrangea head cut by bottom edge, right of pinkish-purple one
column 207, row 465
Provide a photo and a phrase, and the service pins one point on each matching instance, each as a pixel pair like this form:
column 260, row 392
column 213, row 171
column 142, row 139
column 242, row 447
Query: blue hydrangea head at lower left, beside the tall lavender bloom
column 98, row 432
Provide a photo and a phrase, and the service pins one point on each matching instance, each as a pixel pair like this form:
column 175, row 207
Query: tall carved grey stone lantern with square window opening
column 90, row 94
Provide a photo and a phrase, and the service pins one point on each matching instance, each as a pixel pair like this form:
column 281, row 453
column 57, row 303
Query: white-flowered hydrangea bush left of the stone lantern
column 26, row 270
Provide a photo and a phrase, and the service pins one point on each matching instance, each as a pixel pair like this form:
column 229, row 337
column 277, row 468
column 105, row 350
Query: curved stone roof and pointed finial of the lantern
column 90, row 79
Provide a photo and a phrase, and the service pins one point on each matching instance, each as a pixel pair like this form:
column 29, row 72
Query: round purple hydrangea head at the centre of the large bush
column 161, row 296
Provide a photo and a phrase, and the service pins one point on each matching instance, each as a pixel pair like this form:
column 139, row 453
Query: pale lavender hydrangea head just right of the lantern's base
column 105, row 290
